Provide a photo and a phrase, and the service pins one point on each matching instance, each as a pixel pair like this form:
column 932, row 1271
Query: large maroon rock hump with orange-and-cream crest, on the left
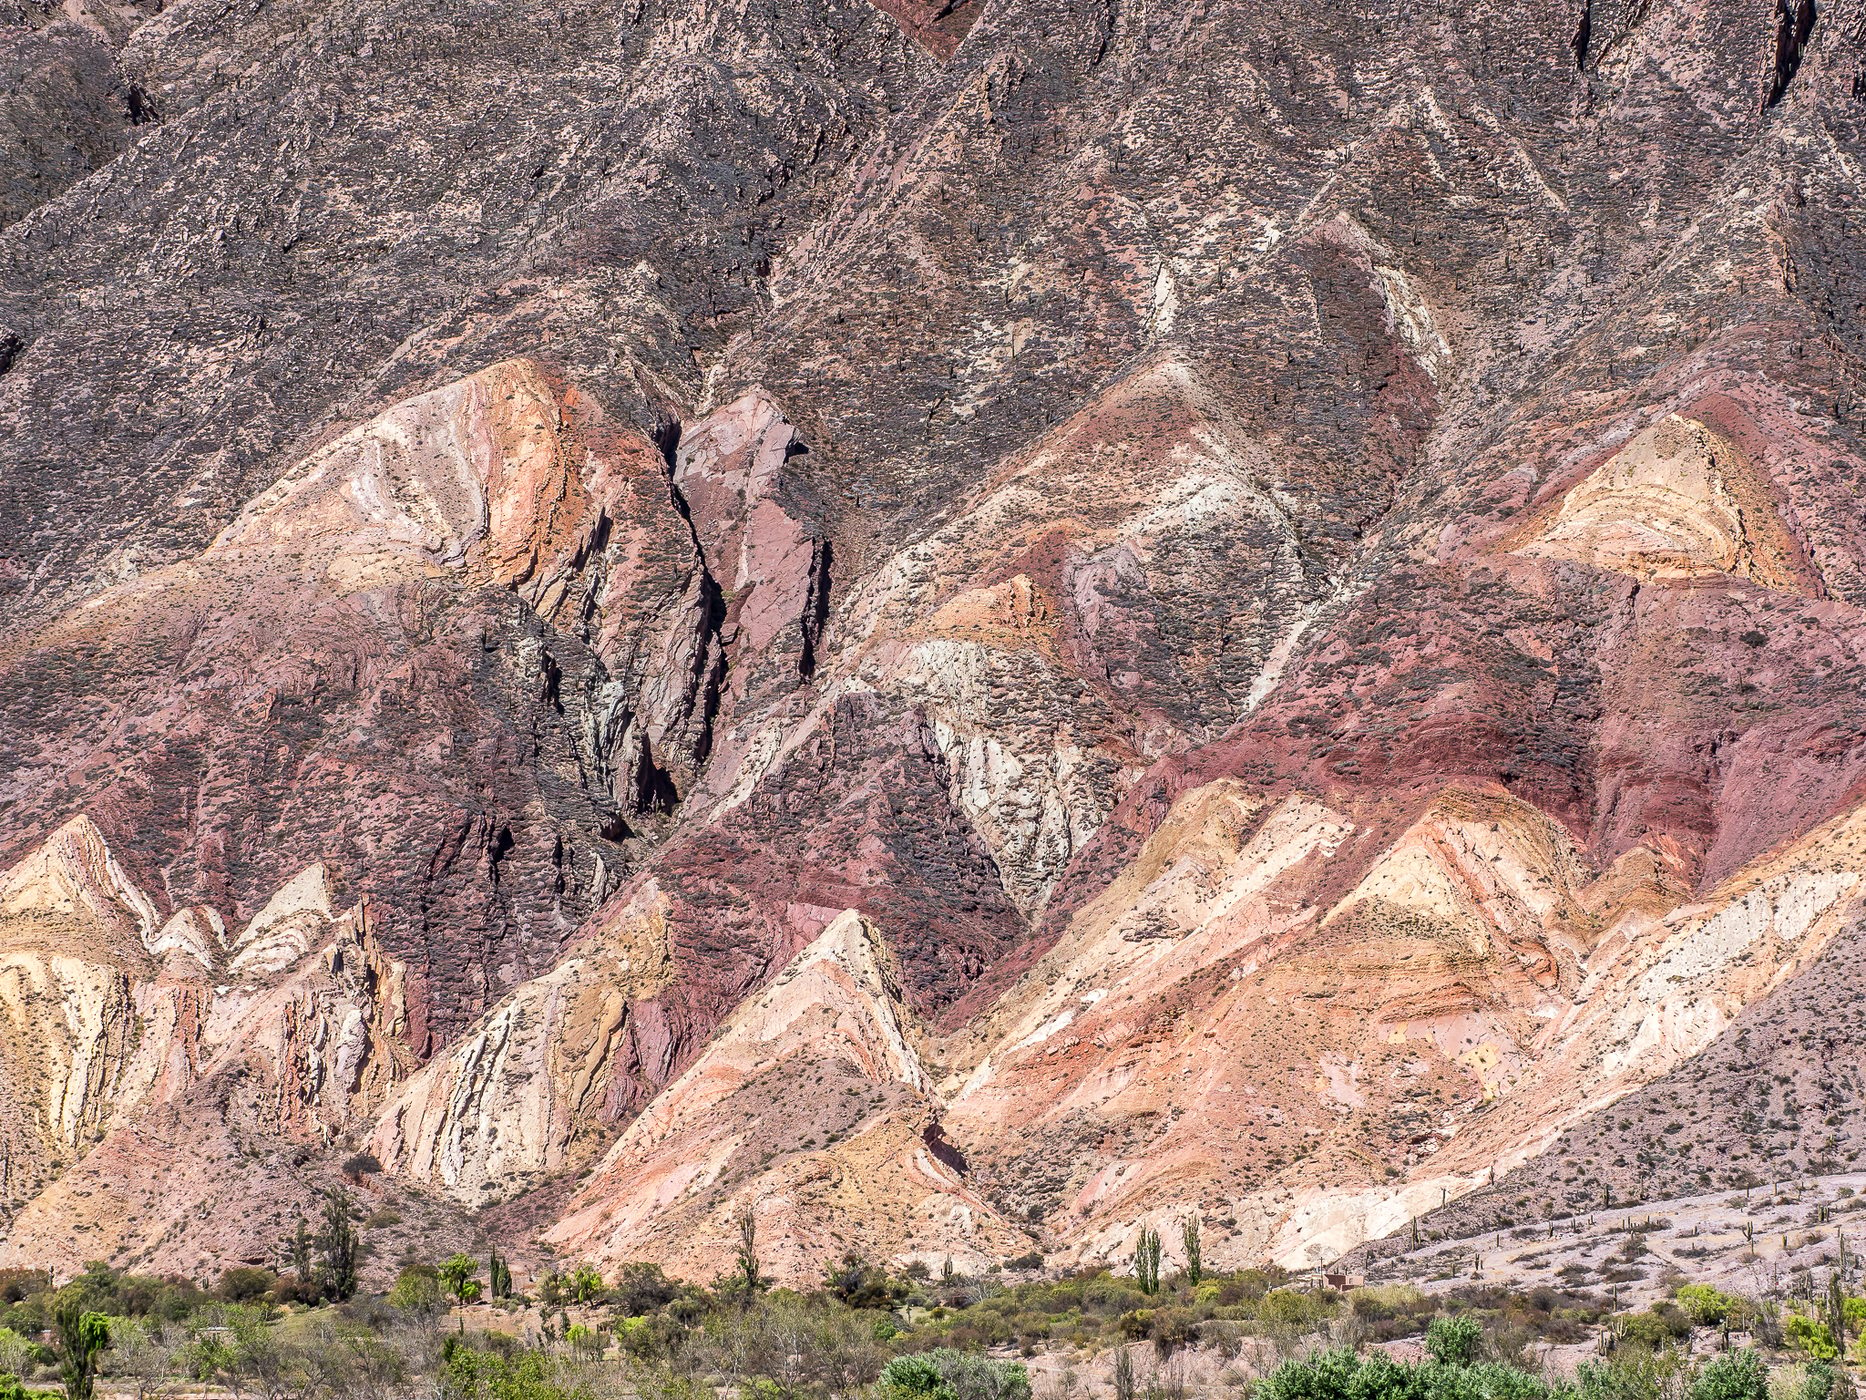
column 475, row 613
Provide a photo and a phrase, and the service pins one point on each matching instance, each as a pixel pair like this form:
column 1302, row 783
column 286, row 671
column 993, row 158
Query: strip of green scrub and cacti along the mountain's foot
column 460, row 1330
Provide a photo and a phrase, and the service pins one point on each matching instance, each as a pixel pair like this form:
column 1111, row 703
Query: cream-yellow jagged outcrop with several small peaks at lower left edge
column 288, row 1035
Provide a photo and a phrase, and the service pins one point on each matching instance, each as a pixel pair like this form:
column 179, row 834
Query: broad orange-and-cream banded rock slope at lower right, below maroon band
column 1227, row 1031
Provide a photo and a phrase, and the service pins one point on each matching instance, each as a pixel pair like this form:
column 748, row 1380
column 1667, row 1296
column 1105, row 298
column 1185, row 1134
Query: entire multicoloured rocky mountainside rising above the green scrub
column 954, row 628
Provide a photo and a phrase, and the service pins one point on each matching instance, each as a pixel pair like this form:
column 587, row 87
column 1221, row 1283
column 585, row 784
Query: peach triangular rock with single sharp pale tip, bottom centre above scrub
column 811, row 1112
